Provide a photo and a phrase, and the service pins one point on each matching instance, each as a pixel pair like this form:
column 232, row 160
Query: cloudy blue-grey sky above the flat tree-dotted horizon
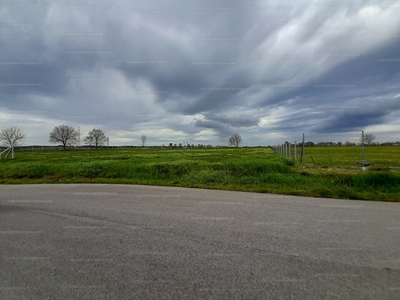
column 197, row 71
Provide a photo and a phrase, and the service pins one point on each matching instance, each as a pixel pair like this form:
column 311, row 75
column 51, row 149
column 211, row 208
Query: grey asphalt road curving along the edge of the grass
column 141, row 242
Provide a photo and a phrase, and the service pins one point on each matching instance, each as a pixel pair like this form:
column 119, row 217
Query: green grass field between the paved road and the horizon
column 334, row 174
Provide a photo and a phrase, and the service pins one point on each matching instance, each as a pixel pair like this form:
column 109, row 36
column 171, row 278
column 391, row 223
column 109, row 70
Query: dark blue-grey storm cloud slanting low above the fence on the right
column 342, row 94
